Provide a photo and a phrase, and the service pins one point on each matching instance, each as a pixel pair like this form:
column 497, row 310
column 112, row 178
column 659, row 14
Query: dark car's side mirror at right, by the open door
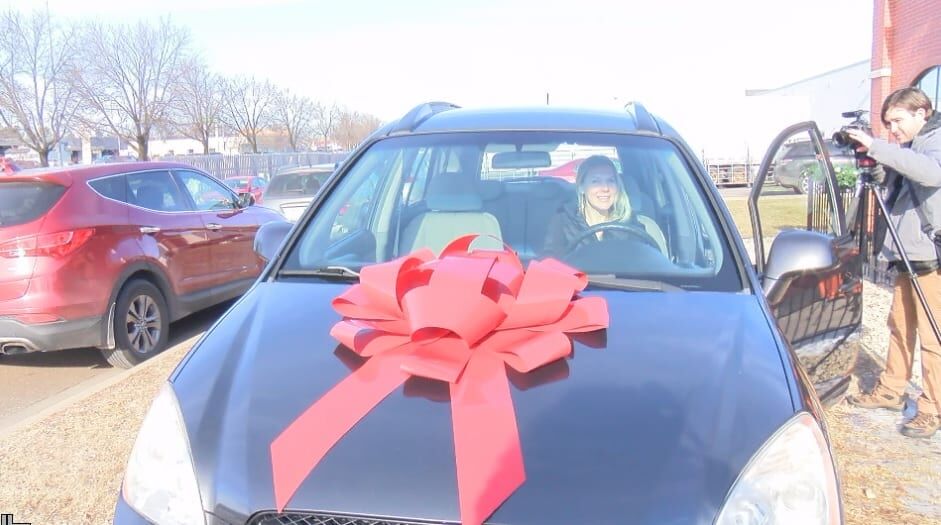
column 795, row 253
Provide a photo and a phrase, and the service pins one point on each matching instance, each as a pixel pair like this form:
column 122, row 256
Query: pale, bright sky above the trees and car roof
column 686, row 61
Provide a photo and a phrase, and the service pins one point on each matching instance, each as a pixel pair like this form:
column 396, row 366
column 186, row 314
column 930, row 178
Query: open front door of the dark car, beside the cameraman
column 819, row 313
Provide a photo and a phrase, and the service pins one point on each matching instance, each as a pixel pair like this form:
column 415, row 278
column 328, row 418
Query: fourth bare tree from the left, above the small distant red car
column 249, row 107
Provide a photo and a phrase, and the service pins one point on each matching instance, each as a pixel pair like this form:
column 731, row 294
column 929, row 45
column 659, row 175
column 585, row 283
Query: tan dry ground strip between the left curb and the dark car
column 67, row 468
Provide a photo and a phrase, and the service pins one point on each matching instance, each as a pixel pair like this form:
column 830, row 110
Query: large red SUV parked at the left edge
column 108, row 255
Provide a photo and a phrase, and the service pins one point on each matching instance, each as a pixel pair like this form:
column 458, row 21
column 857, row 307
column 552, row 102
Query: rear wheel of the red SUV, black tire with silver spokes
column 141, row 325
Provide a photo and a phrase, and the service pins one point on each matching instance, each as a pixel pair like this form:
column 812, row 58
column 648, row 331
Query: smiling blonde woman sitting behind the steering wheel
column 601, row 199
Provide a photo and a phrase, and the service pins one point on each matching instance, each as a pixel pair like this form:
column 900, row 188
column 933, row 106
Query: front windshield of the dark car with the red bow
column 649, row 215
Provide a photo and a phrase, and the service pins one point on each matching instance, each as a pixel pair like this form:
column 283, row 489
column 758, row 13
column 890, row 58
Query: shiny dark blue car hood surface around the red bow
column 650, row 421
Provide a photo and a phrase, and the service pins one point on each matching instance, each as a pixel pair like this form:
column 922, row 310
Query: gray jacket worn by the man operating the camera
column 920, row 163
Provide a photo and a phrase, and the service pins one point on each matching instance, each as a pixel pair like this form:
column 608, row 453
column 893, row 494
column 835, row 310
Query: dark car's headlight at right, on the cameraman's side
column 790, row 480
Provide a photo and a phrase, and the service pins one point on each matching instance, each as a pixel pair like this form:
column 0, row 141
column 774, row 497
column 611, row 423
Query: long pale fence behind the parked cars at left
column 259, row 164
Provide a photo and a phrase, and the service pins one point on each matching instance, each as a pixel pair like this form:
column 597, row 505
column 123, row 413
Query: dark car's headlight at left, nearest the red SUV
column 160, row 482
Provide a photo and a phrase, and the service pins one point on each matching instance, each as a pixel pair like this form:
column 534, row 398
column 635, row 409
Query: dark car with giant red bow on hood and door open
column 699, row 403
